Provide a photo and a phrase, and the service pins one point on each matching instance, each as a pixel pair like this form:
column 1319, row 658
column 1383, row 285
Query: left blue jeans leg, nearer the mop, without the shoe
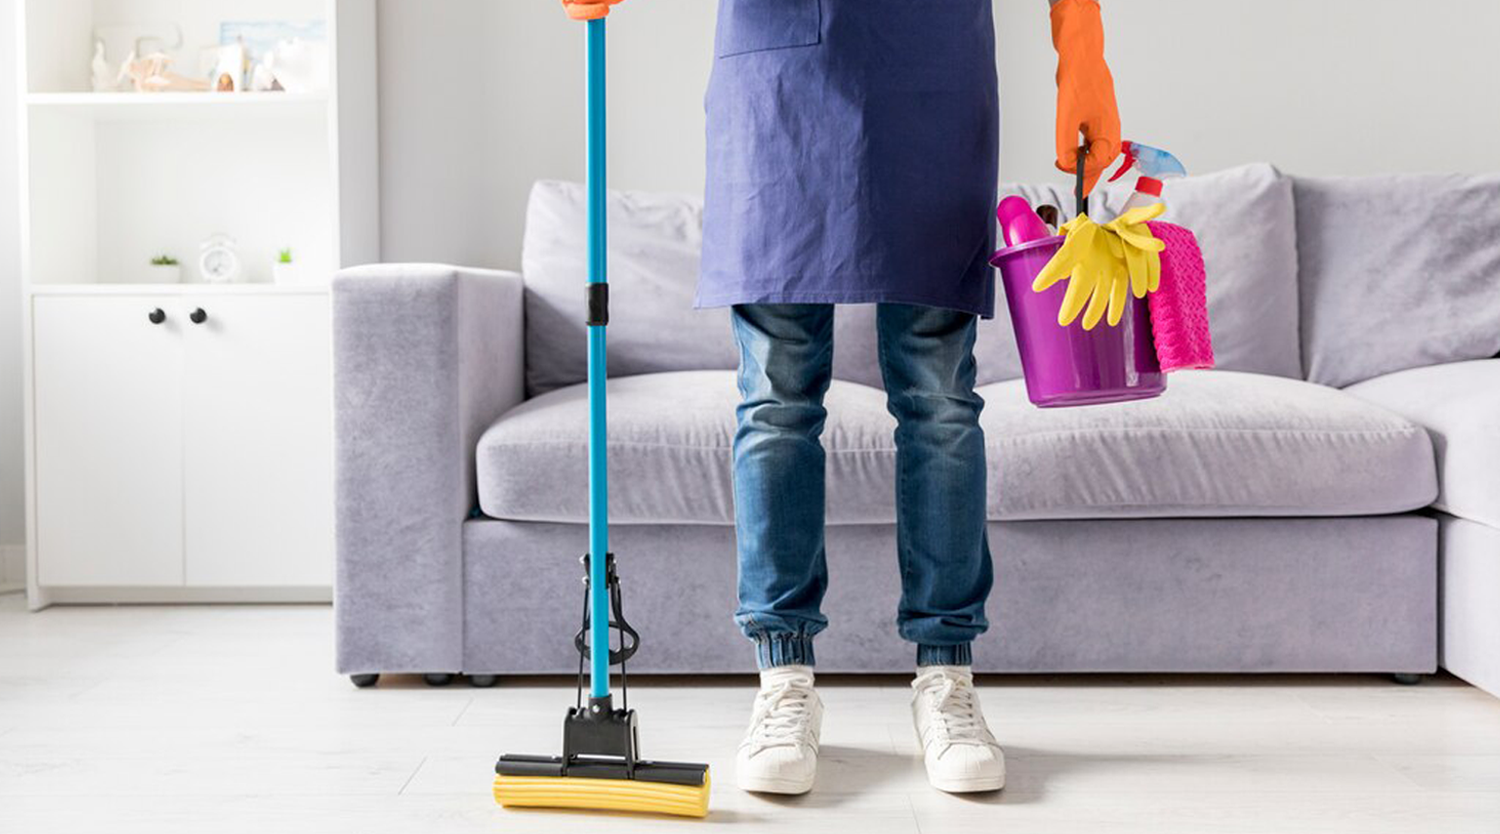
column 785, row 371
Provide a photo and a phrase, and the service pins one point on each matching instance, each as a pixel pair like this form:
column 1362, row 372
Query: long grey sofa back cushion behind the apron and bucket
column 1244, row 218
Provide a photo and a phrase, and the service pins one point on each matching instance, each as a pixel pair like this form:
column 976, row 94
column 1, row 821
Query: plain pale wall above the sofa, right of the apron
column 1324, row 88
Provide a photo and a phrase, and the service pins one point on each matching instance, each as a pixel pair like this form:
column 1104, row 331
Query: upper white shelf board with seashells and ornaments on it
column 119, row 107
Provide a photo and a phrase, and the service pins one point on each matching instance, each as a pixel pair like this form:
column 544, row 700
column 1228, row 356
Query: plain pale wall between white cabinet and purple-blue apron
column 481, row 98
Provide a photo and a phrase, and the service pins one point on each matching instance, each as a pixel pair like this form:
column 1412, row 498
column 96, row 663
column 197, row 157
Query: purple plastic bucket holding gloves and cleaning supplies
column 1069, row 367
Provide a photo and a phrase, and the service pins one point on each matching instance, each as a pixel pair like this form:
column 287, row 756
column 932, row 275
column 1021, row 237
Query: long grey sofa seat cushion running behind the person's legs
column 1217, row 445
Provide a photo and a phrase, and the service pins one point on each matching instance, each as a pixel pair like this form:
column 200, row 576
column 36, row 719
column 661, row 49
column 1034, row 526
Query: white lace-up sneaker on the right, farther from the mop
column 961, row 752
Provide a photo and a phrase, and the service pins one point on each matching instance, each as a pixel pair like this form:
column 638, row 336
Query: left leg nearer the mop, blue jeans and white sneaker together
column 785, row 370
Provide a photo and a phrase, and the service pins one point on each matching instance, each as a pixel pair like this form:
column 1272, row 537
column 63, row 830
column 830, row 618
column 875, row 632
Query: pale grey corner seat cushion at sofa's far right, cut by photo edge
column 1460, row 406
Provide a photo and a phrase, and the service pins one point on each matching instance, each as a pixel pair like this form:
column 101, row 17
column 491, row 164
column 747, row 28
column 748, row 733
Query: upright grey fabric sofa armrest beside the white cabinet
column 425, row 358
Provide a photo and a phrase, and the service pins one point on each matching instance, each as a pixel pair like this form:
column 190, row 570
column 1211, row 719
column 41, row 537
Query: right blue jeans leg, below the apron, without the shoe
column 943, row 548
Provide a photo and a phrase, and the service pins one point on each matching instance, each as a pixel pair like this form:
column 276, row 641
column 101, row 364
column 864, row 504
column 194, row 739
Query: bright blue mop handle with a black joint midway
column 598, row 274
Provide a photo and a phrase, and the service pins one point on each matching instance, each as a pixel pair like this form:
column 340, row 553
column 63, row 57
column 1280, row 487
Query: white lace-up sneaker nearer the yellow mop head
column 781, row 751
